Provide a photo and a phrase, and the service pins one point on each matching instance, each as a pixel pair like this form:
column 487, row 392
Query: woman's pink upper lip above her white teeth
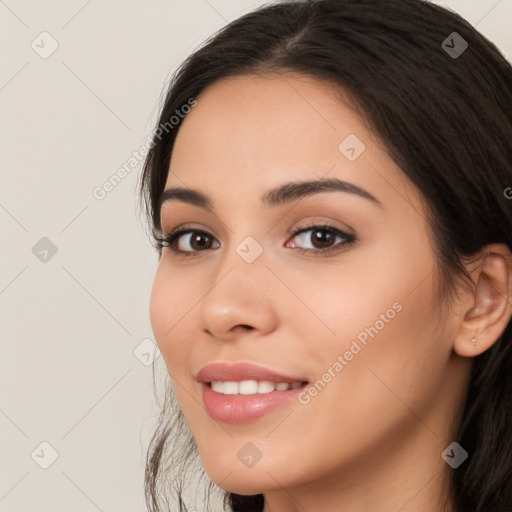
column 236, row 372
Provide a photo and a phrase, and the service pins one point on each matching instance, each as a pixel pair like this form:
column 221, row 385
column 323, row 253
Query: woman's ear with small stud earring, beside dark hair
column 487, row 306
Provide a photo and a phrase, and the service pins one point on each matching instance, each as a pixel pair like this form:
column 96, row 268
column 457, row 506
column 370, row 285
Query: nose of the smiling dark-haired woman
column 239, row 301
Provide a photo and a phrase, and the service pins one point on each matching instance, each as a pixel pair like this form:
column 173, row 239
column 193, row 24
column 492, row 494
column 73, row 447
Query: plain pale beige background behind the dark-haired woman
column 75, row 333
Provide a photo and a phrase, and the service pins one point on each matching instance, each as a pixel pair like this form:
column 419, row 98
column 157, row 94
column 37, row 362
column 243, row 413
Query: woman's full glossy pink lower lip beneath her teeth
column 244, row 408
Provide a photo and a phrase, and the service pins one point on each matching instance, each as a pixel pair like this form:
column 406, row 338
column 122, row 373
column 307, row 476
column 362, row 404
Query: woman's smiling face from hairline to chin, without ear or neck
column 301, row 283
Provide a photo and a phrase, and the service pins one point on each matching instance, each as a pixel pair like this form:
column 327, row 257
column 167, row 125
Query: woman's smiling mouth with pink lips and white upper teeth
column 240, row 393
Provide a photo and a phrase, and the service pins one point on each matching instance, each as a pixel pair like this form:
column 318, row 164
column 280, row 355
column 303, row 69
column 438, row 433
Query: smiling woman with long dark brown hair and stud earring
column 332, row 300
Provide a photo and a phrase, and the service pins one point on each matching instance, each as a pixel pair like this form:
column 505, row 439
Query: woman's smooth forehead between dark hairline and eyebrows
column 251, row 133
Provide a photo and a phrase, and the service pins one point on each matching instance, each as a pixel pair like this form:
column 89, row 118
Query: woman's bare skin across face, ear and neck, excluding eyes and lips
column 372, row 438
